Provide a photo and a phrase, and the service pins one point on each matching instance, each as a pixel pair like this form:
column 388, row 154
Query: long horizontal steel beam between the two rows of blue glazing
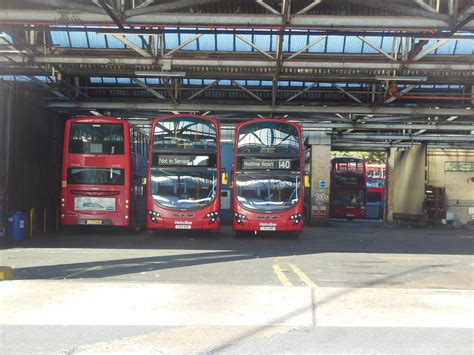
column 244, row 63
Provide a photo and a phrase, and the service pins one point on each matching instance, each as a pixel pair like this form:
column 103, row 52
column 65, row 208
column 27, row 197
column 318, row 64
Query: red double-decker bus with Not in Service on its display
column 184, row 173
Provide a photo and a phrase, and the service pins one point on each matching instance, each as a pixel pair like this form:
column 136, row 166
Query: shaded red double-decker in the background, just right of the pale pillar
column 348, row 188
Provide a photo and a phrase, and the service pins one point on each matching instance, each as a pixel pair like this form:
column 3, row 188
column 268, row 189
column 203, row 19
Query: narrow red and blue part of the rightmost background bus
column 375, row 190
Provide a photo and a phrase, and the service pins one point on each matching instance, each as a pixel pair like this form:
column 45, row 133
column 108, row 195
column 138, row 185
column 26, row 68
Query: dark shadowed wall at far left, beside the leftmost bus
column 30, row 155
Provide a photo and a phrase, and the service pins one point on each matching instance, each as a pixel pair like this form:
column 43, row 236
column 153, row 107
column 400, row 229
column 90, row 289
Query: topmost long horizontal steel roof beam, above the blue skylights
column 60, row 16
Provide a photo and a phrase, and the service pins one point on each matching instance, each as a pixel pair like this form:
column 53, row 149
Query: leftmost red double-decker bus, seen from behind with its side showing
column 103, row 172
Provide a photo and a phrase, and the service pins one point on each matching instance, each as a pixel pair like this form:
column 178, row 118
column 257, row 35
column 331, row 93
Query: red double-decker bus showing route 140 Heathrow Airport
column 268, row 188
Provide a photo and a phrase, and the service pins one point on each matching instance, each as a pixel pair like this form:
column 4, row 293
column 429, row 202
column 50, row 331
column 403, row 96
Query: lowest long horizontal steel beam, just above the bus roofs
column 232, row 107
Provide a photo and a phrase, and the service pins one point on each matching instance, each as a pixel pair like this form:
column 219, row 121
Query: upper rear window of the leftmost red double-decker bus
column 96, row 138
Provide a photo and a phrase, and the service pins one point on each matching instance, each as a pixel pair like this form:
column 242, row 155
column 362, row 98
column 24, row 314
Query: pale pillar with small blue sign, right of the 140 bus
column 320, row 142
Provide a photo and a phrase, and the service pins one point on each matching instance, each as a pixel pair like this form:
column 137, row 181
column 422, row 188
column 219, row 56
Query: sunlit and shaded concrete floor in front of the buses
column 110, row 292
